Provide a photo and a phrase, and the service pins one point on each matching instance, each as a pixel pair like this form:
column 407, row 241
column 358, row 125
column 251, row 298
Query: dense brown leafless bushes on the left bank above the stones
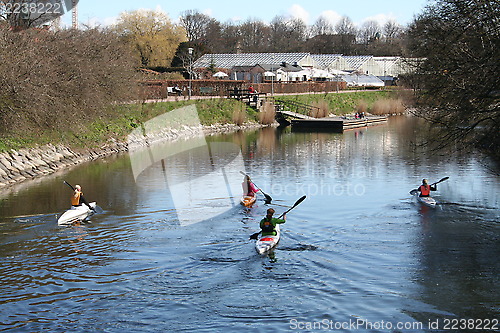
column 60, row 80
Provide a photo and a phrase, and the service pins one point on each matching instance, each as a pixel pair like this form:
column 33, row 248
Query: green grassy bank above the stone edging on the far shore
column 125, row 118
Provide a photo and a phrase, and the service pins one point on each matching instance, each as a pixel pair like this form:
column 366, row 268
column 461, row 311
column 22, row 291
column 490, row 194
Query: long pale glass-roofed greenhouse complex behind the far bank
column 261, row 67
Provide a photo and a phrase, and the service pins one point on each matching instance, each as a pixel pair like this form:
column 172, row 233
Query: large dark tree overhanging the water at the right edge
column 457, row 80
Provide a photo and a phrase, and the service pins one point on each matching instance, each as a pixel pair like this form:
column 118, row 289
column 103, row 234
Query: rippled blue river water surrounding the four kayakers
column 169, row 249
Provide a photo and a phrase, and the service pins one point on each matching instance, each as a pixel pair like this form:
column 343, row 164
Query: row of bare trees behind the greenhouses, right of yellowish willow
column 284, row 34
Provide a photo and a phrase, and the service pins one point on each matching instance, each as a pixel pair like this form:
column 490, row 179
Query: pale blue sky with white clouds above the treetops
column 402, row 11
